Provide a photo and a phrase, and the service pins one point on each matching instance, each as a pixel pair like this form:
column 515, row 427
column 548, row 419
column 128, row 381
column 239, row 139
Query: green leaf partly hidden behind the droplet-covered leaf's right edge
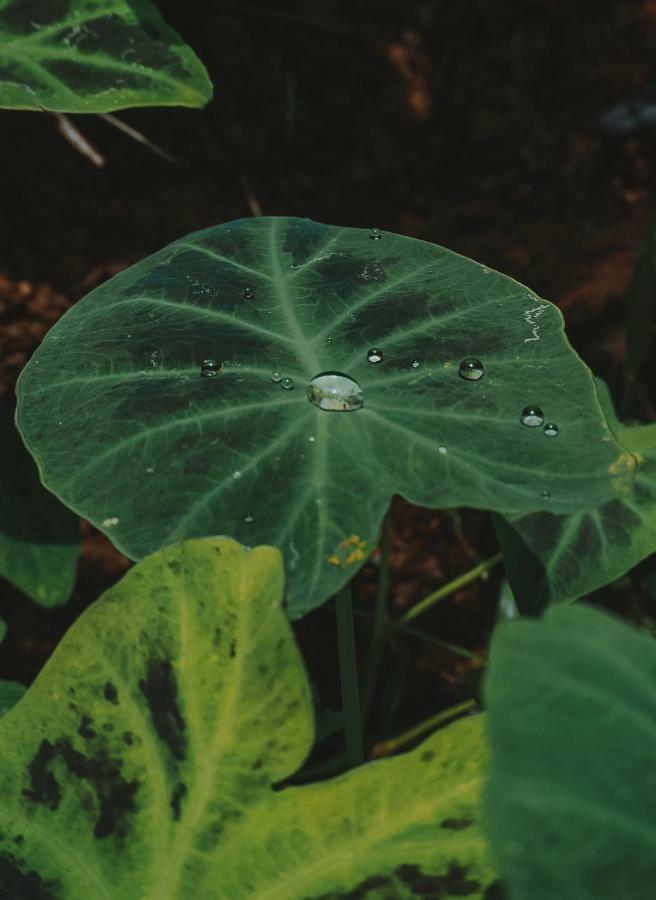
column 551, row 558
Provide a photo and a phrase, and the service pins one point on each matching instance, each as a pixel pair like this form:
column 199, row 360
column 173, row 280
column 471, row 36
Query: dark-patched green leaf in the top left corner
column 81, row 56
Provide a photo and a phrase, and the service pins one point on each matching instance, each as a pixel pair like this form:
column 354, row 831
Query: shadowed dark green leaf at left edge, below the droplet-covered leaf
column 39, row 538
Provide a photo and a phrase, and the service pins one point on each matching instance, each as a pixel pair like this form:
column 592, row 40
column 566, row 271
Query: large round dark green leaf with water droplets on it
column 128, row 432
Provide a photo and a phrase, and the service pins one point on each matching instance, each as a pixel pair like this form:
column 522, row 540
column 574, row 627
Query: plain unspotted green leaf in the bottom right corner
column 570, row 806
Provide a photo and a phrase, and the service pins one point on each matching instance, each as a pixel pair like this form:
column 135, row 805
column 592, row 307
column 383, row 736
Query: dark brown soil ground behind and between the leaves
column 474, row 125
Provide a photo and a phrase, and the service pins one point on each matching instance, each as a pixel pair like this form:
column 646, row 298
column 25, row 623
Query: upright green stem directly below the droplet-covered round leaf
column 348, row 677
